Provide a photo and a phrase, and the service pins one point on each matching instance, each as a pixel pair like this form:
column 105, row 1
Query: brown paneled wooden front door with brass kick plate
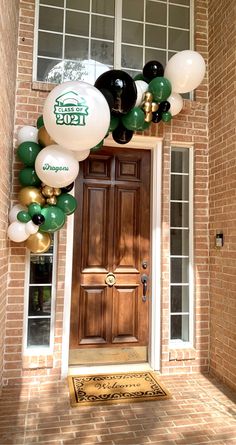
column 109, row 313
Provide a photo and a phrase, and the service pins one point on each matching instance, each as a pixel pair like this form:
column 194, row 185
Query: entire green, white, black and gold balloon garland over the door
column 76, row 119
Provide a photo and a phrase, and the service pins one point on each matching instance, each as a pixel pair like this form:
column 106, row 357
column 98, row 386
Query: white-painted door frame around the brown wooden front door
column 154, row 144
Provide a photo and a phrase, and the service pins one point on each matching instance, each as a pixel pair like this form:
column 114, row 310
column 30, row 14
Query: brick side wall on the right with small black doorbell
column 222, row 186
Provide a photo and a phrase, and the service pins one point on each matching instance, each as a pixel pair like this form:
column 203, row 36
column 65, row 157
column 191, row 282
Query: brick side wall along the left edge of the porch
column 8, row 42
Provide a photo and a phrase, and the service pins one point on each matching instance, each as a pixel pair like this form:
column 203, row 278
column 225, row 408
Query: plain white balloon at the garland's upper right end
column 185, row 70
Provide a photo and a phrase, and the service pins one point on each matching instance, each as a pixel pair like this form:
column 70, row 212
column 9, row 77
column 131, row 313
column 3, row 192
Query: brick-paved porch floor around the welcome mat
column 202, row 411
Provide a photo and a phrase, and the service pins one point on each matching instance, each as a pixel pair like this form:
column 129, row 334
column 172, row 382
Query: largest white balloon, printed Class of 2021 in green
column 76, row 115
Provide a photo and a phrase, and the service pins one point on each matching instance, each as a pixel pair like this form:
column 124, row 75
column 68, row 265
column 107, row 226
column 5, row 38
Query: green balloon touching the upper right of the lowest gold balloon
column 54, row 219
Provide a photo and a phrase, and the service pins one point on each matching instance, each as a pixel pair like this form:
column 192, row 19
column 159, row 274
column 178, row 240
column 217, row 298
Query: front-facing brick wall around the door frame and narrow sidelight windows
column 190, row 128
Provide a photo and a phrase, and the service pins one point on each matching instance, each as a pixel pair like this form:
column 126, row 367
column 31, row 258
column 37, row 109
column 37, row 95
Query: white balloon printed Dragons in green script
column 56, row 166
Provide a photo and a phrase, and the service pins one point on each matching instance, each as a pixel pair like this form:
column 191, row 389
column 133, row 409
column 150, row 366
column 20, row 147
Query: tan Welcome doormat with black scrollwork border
column 115, row 388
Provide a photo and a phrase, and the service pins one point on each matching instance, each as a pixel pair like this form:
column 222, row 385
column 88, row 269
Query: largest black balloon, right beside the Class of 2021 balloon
column 122, row 88
